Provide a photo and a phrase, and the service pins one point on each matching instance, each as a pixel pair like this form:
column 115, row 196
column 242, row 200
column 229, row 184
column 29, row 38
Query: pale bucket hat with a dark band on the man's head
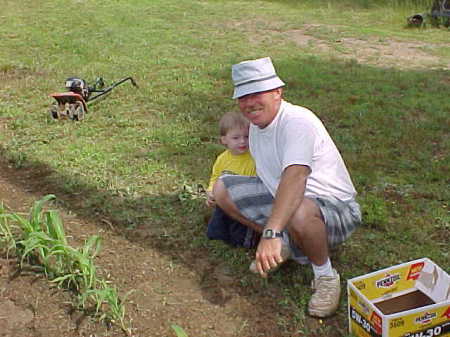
column 254, row 76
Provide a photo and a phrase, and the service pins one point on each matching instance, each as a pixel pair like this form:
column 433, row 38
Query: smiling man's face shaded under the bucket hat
column 261, row 108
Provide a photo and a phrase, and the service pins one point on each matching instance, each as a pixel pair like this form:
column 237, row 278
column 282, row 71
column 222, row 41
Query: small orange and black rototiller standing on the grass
column 73, row 103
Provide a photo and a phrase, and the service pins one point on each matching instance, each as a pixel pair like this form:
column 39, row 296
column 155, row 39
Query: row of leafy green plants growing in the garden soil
column 40, row 240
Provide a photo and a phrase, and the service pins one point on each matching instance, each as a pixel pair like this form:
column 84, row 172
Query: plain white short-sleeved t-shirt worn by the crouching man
column 297, row 137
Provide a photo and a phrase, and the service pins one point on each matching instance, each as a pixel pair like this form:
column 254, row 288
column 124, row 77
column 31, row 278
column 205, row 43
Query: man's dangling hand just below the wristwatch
column 268, row 255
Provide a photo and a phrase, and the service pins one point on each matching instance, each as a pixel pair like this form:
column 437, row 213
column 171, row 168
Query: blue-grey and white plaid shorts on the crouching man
column 254, row 201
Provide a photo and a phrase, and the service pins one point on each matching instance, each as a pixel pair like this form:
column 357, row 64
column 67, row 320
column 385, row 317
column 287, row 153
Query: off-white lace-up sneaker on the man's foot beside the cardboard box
column 325, row 299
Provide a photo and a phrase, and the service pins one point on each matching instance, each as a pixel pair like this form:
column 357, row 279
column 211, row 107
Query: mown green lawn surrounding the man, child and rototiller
column 140, row 156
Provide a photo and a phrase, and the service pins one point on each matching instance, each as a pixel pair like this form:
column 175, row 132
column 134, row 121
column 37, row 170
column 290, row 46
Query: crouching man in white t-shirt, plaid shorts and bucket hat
column 302, row 200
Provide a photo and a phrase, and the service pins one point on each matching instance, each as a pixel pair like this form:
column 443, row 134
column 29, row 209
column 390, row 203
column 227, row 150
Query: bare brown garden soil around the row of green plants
column 204, row 300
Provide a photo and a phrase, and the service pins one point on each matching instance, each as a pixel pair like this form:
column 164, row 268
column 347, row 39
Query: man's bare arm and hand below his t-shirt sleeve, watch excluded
column 288, row 198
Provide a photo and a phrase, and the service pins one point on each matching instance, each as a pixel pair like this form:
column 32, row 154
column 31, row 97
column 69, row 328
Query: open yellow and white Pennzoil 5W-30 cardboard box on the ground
column 408, row 300
